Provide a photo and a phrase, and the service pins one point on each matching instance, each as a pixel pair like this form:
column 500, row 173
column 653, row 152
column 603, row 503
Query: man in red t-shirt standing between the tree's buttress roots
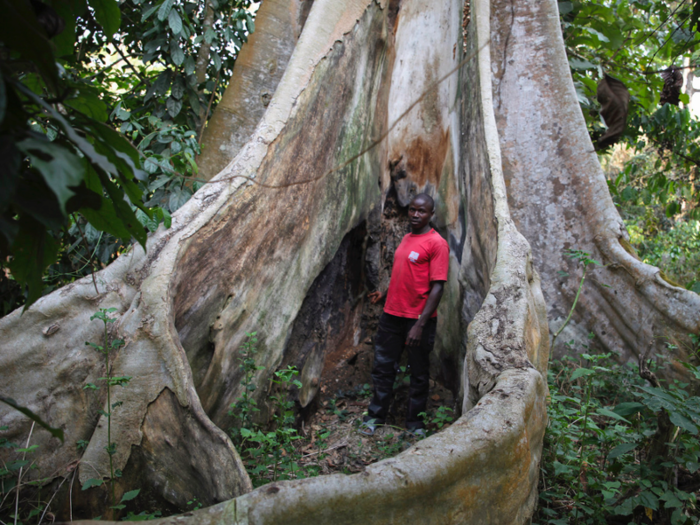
column 410, row 316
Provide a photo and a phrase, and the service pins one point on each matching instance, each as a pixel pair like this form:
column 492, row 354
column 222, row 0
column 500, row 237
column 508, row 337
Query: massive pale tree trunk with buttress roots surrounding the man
column 289, row 251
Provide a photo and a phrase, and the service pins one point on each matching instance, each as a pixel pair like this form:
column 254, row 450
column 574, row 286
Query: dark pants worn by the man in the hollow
column 389, row 344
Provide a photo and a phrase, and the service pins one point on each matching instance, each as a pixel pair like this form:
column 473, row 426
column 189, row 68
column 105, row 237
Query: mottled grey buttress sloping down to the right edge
column 560, row 201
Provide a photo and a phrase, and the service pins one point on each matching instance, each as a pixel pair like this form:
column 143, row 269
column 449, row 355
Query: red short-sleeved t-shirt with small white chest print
column 419, row 260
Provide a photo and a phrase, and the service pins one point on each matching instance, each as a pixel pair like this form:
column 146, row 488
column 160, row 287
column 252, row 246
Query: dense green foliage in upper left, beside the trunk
column 102, row 106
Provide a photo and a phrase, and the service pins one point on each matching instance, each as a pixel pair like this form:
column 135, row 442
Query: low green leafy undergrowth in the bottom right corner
column 621, row 446
